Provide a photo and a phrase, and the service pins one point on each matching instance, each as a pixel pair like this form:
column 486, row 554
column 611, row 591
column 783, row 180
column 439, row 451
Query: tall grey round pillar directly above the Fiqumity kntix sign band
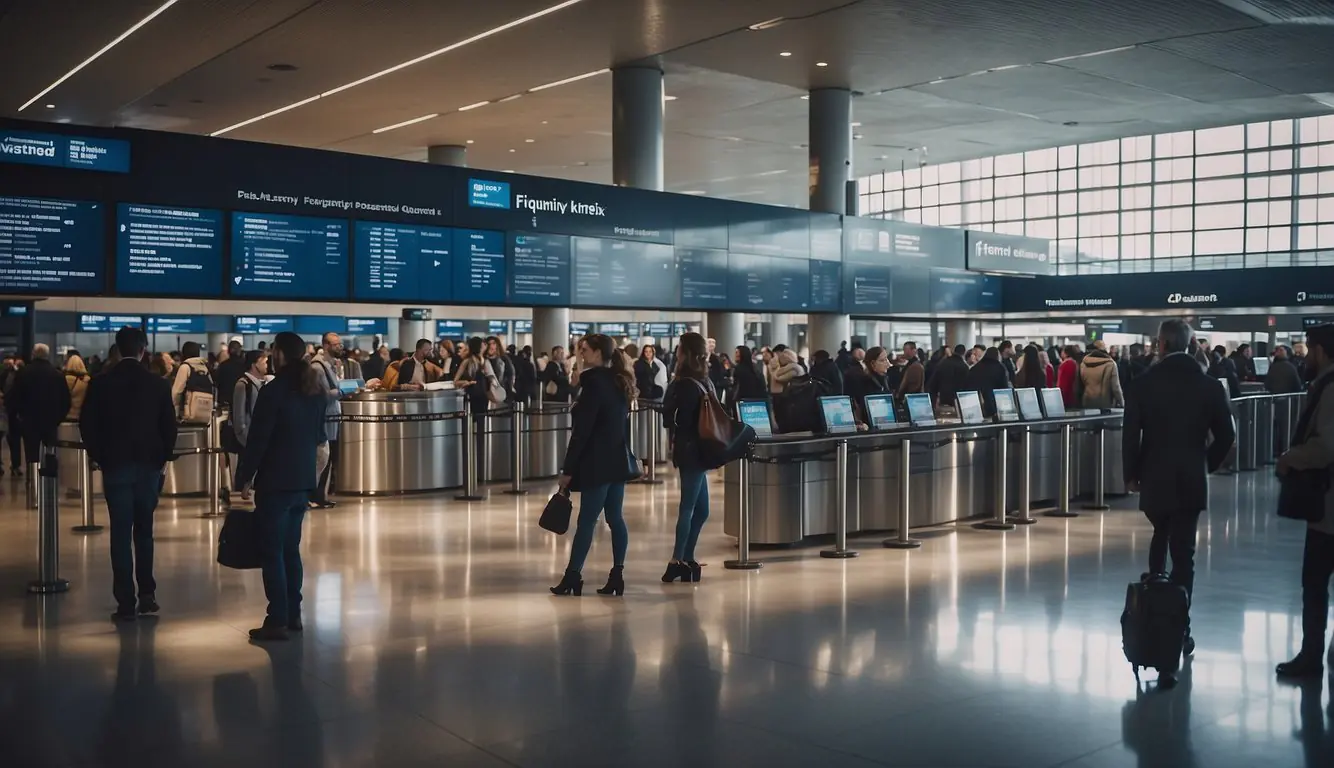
column 637, row 127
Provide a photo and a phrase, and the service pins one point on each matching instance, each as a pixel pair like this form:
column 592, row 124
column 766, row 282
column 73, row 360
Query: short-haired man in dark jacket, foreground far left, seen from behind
column 129, row 427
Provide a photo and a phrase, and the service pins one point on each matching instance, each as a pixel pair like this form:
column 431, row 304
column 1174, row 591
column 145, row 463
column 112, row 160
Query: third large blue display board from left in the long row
column 289, row 257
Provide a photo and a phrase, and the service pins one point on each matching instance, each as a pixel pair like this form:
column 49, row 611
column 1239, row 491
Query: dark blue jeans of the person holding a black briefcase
column 281, row 515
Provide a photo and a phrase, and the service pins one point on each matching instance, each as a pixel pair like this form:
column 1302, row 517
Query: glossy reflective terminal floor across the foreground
column 432, row 641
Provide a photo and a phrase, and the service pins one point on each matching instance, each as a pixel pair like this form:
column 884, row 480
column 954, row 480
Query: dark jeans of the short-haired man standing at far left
column 131, row 499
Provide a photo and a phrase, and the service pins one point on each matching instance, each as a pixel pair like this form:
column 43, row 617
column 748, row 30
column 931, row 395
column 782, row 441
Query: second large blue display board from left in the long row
column 169, row 251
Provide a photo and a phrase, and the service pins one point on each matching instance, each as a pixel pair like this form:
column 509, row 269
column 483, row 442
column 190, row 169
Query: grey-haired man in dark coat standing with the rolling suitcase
column 1179, row 429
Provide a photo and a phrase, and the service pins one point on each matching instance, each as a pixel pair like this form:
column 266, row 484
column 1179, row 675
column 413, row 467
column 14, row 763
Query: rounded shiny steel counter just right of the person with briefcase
column 401, row 442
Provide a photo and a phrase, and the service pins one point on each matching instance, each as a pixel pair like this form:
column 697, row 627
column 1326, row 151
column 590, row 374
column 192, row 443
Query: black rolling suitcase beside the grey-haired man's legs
column 1155, row 623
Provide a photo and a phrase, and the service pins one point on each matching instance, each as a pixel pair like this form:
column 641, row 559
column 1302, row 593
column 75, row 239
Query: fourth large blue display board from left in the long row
column 401, row 262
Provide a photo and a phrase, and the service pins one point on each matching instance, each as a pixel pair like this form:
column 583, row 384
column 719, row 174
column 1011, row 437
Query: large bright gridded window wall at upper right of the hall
column 1255, row 195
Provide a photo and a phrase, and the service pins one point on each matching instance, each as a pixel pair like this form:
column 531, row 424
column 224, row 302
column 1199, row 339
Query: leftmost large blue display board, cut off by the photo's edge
column 51, row 246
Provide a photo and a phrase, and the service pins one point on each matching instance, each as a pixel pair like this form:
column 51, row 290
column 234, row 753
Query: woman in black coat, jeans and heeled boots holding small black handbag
column 598, row 461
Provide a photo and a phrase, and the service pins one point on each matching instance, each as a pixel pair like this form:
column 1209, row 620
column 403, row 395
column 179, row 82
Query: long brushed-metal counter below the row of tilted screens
column 793, row 481
